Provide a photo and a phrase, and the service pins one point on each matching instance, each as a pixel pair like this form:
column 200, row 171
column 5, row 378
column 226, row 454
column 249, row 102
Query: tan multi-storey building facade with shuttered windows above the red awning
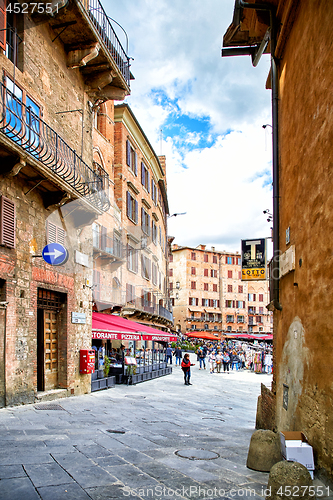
column 129, row 239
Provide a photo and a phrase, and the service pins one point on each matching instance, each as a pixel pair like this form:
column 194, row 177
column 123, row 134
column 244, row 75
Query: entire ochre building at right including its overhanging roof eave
column 300, row 78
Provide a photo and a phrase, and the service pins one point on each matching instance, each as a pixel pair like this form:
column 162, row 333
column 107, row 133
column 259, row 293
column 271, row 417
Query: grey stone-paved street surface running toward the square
column 122, row 442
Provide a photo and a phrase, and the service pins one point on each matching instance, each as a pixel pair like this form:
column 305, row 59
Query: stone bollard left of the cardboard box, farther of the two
column 264, row 450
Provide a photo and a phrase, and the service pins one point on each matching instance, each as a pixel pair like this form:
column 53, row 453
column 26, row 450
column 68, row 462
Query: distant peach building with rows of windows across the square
column 209, row 295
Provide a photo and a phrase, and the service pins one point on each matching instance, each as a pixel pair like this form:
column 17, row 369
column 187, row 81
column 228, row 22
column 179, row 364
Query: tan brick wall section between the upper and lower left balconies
column 44, row 76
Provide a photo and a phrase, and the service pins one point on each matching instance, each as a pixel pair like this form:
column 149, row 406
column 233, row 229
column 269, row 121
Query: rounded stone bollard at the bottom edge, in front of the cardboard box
column 288, row 480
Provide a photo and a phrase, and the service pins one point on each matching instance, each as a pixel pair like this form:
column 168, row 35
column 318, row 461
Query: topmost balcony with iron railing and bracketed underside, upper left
column 91, row 44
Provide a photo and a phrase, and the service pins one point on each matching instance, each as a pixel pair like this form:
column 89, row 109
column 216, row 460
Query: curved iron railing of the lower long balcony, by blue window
column 26, row 129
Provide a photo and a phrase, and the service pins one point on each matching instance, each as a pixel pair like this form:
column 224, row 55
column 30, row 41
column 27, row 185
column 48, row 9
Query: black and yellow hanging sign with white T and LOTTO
column 254, row 260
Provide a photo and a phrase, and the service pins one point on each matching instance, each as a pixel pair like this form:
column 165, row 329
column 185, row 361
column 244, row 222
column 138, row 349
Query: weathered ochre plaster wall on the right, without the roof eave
column 304, row 327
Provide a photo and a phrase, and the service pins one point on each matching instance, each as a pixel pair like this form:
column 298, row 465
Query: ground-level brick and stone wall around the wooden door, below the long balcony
column 23, row 274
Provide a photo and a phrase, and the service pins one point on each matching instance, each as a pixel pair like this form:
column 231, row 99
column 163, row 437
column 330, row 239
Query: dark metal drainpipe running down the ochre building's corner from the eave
column 275, row 122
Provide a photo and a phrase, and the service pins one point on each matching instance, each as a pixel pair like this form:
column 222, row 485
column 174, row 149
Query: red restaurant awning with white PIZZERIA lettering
column 110, row 326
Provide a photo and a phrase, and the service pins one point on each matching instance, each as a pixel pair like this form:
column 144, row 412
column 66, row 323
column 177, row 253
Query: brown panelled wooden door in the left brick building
column 50, row 350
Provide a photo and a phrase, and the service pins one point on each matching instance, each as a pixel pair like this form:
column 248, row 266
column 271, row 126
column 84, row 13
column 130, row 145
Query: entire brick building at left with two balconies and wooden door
column 51, row 189
